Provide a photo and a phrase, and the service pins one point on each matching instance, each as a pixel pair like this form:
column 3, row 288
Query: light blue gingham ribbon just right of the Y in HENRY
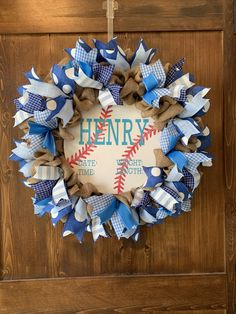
column 169, row 138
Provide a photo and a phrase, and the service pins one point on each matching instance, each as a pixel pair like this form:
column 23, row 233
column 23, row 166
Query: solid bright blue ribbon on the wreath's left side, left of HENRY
column 39, row 129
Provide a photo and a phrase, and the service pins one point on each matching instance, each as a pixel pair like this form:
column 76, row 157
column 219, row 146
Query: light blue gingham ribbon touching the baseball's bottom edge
column 99, row 203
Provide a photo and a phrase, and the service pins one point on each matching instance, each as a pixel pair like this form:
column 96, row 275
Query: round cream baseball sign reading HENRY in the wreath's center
column 110, row 147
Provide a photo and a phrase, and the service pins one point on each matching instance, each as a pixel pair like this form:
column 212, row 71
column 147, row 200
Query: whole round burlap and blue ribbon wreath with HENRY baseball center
column 106, row 80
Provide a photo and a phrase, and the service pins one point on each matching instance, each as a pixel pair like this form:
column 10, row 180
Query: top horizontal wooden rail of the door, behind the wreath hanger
column 72, row 16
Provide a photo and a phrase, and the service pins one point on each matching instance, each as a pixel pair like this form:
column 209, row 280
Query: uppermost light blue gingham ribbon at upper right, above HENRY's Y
column 156, row 69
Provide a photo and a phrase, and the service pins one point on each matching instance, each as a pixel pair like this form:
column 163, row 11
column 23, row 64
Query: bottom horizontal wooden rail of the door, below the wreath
column 115, row 294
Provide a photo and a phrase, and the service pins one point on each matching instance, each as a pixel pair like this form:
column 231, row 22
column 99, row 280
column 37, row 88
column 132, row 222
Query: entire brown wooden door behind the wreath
column 192, row 256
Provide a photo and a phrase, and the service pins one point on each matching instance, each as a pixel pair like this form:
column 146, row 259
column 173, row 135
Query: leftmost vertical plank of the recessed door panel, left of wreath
column 25, row 249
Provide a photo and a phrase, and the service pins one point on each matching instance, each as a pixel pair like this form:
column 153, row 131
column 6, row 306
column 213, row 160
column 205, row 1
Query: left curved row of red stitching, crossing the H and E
column 87, row 149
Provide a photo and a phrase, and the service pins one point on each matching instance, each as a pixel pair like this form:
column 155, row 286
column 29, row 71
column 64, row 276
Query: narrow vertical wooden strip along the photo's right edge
column 230, row 149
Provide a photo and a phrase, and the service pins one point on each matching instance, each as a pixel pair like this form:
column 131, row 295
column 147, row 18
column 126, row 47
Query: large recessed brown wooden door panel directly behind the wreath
column 185, row 244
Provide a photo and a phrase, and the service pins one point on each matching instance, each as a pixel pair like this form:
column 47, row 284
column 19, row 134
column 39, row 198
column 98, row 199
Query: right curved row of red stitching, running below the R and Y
column 128, row 155
